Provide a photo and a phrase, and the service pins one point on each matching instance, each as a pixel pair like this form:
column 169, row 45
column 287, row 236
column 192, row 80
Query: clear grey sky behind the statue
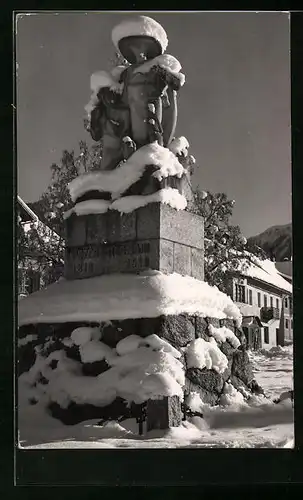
column 234, row 108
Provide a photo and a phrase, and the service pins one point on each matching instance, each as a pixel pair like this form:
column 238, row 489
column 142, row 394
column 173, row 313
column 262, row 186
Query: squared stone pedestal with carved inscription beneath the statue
column 152, row 237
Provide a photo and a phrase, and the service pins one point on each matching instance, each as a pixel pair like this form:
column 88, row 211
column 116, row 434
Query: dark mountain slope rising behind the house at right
column 276, row 241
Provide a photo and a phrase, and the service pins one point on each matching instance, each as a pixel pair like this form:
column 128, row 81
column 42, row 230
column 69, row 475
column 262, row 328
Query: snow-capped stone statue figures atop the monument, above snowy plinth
column 136, row 104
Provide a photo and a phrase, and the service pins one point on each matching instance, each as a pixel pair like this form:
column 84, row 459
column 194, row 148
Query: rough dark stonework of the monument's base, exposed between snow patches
column 178, row 330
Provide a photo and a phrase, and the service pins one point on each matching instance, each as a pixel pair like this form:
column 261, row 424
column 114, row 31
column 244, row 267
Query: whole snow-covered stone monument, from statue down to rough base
column 132, row 329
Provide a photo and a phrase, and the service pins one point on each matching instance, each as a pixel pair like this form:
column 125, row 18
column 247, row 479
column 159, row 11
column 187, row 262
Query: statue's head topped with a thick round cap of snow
column 139, row 39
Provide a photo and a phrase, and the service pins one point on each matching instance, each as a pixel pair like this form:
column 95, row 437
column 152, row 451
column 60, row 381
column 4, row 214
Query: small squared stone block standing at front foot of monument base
column 163, row 413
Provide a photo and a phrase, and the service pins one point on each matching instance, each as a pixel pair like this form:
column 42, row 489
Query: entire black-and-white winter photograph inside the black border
column 154, row 232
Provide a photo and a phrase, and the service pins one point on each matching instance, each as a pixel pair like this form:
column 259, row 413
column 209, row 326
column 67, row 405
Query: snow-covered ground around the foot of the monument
column 262, row 425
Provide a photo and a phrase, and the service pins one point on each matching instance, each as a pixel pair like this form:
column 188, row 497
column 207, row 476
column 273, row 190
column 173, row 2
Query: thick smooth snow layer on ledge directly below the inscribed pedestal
column 122, row 296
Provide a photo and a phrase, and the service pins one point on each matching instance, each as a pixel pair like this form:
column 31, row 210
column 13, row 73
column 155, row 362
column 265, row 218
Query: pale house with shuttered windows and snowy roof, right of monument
column 264, row 298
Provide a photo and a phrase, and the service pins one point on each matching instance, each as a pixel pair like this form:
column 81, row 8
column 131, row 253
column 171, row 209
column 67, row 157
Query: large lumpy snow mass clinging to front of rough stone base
column 135, row 373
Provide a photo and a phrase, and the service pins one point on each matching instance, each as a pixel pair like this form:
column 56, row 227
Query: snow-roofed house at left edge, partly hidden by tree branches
column 30, row 278
